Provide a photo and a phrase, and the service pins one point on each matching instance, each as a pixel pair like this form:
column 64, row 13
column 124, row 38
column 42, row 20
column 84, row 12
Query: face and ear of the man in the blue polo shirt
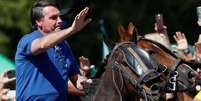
column 51, row 21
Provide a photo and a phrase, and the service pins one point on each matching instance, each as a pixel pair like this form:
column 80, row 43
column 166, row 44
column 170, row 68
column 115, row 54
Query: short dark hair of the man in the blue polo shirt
column 37, row 10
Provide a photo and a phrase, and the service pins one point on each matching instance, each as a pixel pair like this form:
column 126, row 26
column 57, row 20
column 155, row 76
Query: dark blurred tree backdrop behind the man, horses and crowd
column 179, row 15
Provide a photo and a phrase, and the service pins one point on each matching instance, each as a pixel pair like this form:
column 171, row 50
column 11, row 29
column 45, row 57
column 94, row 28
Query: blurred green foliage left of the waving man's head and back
column 14, row 21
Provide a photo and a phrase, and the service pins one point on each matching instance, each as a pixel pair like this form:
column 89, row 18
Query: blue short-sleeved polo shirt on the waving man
column 43, row 77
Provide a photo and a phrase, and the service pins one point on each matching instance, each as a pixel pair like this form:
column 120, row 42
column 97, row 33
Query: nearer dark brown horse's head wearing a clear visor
column 135, row 65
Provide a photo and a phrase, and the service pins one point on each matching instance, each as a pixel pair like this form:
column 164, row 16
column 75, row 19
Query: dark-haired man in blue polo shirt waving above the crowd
column 44, row 60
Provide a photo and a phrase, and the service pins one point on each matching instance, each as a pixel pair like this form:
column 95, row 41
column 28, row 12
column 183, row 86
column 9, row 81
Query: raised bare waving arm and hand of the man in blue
column 42, row 44
